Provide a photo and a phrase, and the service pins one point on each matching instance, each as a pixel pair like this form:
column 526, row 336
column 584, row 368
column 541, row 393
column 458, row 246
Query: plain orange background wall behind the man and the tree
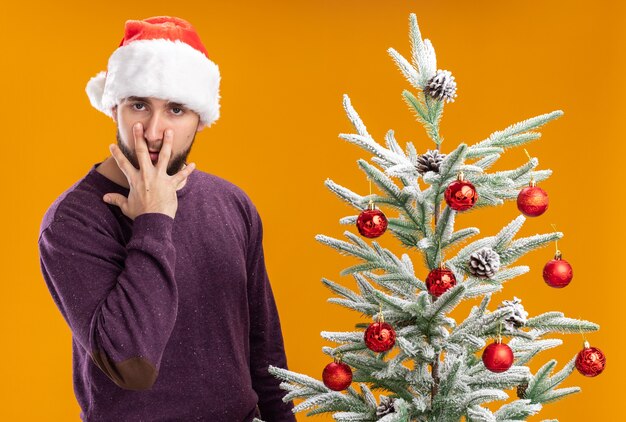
column 285, row 66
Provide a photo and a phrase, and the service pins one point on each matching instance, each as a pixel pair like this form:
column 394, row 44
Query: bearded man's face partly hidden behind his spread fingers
column 156, row 115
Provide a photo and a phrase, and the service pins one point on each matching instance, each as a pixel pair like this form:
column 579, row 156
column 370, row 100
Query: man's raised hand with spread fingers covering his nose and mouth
column 151, row 188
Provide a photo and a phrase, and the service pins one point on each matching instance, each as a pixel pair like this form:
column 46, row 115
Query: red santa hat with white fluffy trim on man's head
column 160, row 57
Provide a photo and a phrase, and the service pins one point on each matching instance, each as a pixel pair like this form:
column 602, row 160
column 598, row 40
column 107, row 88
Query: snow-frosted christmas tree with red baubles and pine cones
column 426, row 366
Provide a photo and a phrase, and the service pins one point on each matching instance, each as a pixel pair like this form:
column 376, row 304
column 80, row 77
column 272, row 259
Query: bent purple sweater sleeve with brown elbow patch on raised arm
column 120, row 301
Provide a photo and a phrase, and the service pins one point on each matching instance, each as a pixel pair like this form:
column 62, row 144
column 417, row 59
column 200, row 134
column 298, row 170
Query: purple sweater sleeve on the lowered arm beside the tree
column 266, row 340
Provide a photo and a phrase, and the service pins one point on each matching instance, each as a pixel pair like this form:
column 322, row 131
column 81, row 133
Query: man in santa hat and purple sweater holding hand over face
column 158, row 268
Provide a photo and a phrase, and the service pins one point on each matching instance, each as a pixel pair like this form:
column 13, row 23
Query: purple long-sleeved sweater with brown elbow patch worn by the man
column 171, row 319
